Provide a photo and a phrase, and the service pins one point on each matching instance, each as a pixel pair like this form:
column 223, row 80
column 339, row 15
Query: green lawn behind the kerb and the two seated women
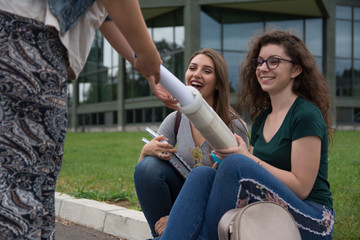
column 100, row 166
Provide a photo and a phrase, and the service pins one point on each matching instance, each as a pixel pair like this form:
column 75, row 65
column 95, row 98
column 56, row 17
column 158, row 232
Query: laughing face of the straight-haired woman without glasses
column 201, row 75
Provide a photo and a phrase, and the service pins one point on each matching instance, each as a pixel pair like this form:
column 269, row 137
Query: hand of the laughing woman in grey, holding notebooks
column 157, row 148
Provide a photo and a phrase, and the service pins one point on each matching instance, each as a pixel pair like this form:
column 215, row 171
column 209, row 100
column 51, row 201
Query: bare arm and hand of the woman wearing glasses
column 305, row 162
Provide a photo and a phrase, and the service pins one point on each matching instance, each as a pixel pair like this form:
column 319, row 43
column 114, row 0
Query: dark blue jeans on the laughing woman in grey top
column 157, row 185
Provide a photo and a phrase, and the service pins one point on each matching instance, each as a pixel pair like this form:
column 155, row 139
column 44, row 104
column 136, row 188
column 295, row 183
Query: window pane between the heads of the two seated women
column 234, row 61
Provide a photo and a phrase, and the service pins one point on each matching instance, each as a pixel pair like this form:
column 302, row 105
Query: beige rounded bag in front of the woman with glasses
column 258, row 221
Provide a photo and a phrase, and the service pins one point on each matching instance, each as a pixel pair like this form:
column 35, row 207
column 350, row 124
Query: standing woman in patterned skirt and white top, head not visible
column 42, row 44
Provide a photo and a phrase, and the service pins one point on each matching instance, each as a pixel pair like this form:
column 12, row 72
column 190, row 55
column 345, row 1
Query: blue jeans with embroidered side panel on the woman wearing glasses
column 207, row 194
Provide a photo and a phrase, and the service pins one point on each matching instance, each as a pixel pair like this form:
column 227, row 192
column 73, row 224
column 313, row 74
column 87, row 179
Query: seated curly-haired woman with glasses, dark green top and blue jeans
column 288, row 100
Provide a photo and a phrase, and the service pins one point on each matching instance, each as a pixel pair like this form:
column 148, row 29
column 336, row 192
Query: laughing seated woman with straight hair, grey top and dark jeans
column 157, row 182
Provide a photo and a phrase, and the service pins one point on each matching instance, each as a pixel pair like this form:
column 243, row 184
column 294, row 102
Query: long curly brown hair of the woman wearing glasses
column 310, row 84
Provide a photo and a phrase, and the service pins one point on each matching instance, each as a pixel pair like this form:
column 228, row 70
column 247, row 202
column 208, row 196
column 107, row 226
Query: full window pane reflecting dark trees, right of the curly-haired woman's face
column 343, row 78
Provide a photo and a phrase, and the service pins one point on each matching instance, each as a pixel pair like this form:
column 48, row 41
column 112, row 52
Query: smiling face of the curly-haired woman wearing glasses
column 280, row 79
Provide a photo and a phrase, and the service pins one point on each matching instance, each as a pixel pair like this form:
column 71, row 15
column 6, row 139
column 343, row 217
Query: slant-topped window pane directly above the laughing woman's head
column 210, row 32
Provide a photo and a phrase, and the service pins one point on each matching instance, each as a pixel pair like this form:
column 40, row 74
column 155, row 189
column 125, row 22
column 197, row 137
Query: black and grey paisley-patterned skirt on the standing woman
column 33, row 120
